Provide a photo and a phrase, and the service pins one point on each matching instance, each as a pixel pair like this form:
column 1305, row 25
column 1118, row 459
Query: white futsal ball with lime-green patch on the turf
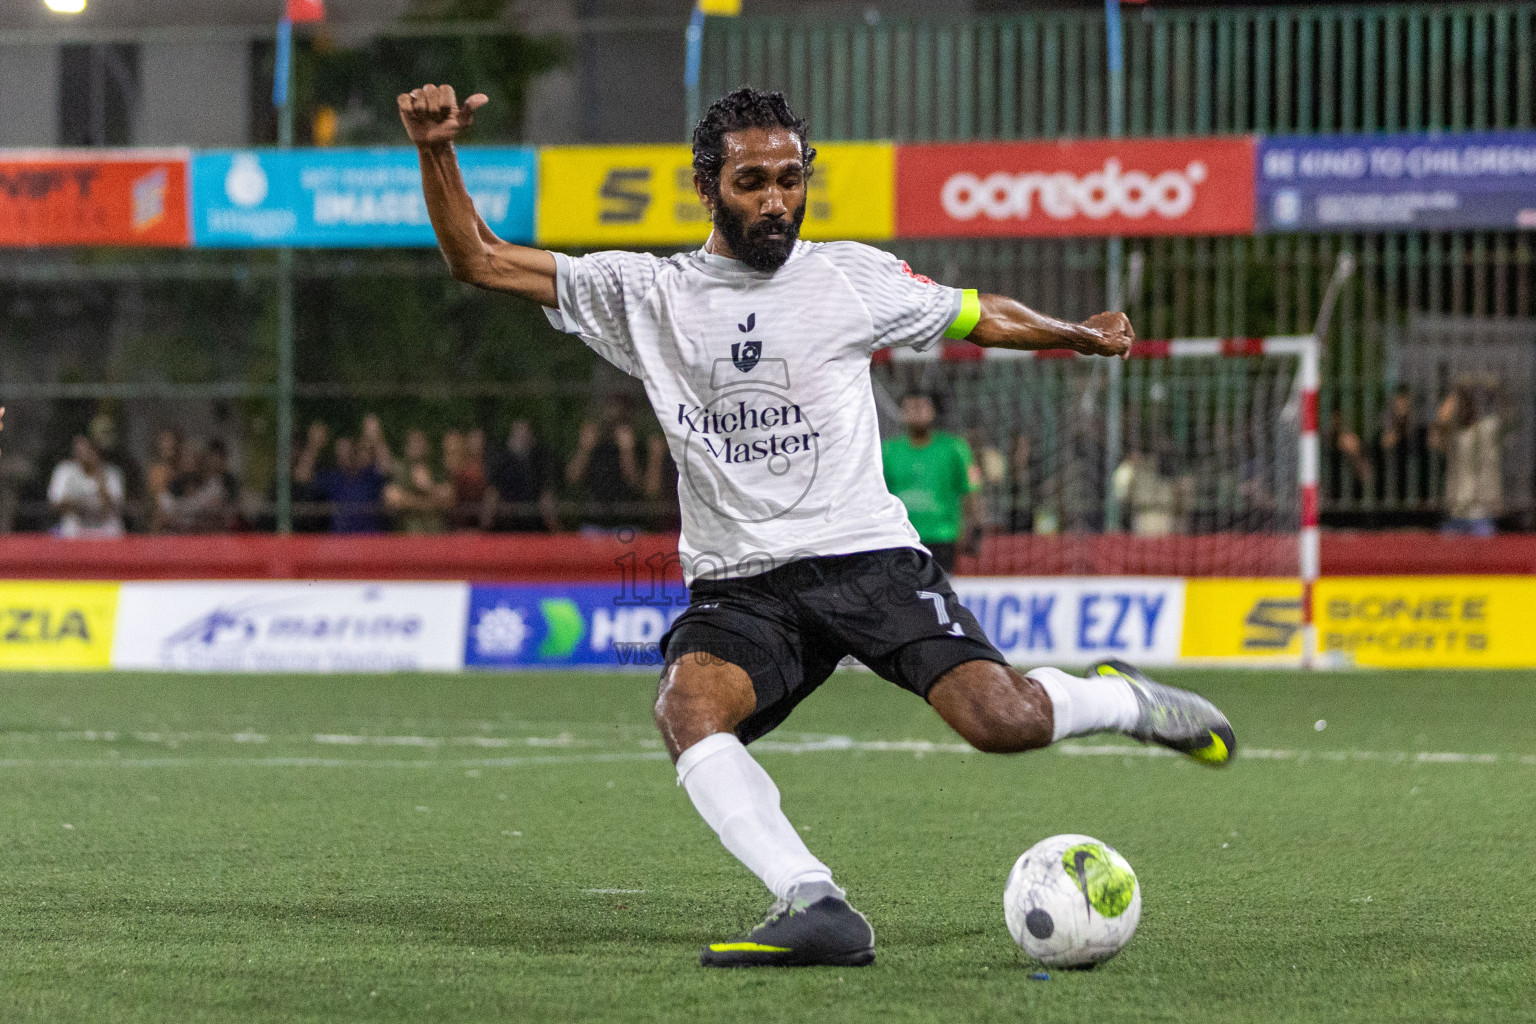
column 1071, row 902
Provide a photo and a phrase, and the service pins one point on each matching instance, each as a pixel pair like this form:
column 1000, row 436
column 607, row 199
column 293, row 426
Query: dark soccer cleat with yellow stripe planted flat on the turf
column 798, row 934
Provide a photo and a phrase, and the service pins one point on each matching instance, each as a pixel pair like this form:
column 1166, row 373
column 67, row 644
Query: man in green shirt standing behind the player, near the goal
column 936, row 478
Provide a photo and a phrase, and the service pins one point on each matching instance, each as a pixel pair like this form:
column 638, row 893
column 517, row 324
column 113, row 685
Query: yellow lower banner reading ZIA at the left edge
column 56, row 626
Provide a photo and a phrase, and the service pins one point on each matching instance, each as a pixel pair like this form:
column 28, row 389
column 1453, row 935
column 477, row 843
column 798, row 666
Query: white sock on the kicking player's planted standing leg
column 741, row 804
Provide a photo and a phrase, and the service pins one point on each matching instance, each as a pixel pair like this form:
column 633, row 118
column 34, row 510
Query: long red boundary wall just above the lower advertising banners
column 574, row 558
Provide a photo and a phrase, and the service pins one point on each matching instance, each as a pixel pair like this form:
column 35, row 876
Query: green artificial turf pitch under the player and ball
column 514, row 848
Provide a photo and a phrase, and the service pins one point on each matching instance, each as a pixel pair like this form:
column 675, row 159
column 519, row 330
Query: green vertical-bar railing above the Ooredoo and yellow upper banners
column 1325, row 68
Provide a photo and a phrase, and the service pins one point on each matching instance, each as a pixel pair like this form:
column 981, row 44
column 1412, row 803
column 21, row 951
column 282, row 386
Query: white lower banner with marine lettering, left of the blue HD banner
column 260, row 627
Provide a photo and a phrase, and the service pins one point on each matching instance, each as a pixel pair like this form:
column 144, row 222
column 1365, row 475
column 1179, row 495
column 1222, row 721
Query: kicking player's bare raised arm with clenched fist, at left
column 434, row 119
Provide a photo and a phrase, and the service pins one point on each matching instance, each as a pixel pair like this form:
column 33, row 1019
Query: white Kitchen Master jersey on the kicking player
column 761, row 383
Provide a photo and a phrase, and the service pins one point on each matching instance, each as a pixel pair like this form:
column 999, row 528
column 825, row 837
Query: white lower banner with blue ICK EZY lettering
column 1074, row 621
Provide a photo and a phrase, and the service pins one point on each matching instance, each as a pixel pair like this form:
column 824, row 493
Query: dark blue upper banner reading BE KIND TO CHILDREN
column 1399, row 183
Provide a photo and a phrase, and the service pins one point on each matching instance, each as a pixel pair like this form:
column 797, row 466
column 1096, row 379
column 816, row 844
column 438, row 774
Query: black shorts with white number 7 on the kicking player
column 790, row 627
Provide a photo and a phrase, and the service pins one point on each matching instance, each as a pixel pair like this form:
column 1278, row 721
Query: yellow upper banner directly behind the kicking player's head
column 644, row 196
